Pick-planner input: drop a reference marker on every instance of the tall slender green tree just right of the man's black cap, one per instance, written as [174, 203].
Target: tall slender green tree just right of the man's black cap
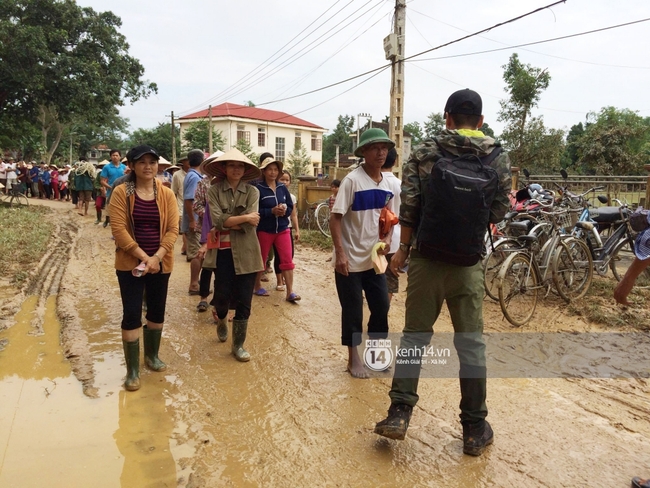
[529, 143]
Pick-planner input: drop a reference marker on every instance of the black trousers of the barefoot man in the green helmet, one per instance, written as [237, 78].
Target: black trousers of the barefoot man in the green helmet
[350, 290]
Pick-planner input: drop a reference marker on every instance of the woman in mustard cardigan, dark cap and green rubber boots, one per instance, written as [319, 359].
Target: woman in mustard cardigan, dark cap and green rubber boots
[144, 223]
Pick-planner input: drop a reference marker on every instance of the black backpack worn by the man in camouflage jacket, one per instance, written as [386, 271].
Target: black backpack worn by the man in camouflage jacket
[456, 207]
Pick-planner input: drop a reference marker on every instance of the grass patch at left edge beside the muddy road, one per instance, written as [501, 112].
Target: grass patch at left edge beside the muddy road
[24, 233]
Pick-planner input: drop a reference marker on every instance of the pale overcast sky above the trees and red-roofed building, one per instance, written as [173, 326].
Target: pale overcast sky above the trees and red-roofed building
[202, 52]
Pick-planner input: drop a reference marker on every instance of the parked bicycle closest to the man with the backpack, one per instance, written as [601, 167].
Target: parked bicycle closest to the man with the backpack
[563, 263]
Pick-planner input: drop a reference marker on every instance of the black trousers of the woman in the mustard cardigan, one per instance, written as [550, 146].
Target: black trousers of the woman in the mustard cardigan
[132, 290]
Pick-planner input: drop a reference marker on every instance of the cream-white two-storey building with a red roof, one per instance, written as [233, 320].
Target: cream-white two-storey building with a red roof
[265, 130]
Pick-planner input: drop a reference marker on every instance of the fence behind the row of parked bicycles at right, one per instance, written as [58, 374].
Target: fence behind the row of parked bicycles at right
[635, 190]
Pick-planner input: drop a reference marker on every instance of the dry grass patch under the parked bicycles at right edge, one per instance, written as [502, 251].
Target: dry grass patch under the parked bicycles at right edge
[599, 306]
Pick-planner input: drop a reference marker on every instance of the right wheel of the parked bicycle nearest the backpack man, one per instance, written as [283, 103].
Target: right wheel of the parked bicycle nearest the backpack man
[572, 269]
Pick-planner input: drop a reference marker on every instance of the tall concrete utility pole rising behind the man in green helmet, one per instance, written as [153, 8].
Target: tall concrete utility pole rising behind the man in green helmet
[394, 49]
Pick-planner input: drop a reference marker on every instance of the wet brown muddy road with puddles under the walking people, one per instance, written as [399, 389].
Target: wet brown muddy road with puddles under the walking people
[290, 417]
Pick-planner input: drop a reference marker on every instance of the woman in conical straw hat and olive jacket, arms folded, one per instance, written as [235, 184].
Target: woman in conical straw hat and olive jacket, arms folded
[233, 246]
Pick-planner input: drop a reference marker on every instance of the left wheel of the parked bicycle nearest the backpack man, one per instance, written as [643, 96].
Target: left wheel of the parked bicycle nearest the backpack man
[518, 289]
